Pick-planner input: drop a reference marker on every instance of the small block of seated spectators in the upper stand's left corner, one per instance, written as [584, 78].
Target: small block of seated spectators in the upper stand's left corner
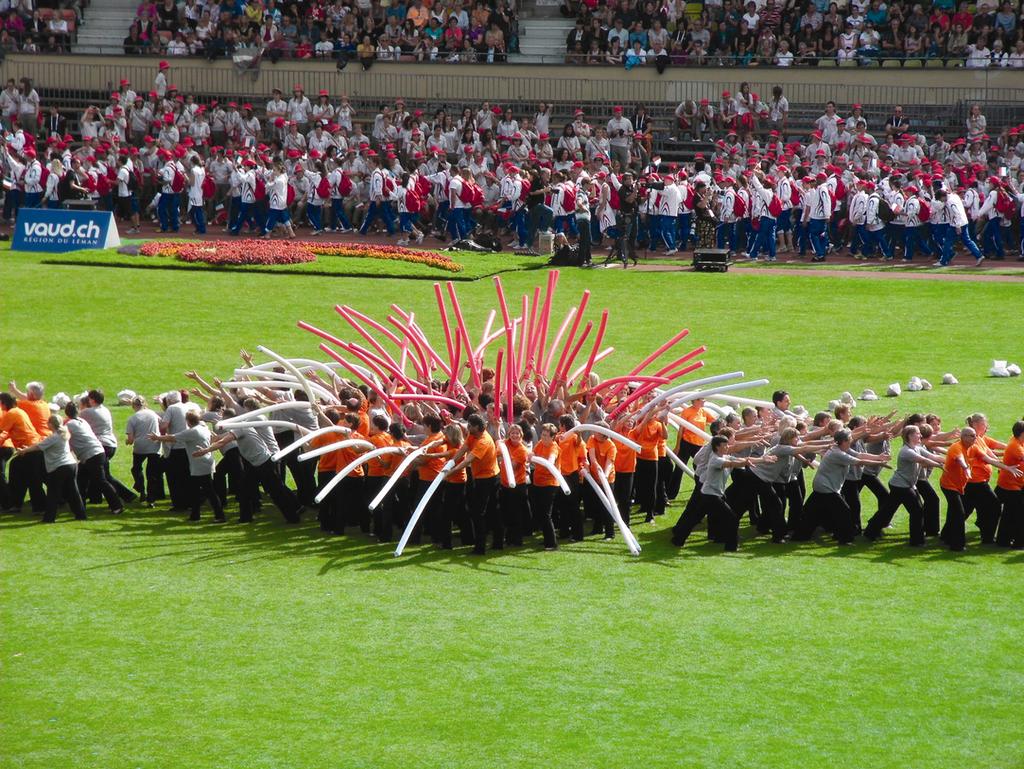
[39, 26]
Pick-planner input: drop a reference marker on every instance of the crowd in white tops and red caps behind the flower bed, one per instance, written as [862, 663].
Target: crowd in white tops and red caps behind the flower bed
[886, 190]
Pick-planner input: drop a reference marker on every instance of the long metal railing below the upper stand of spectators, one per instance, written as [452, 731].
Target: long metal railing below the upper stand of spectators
[79, 76]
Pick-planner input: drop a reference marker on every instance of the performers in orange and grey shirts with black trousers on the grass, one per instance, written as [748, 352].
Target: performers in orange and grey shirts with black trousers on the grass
[749, 463]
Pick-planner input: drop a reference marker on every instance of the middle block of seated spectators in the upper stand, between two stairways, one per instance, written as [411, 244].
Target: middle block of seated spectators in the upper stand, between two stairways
[342, 30]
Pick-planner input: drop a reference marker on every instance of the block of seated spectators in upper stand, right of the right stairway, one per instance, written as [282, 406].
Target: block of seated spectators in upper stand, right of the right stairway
[788, 33]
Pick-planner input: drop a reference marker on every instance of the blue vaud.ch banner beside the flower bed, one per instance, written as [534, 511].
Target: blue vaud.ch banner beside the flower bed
[57, 231]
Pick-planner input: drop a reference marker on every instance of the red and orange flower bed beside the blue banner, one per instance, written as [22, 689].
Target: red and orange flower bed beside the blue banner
[288, 252]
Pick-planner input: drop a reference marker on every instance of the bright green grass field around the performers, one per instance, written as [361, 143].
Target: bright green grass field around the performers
[145, 642]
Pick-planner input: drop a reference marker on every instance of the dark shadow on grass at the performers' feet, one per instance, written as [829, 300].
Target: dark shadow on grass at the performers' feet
[143, 535]
